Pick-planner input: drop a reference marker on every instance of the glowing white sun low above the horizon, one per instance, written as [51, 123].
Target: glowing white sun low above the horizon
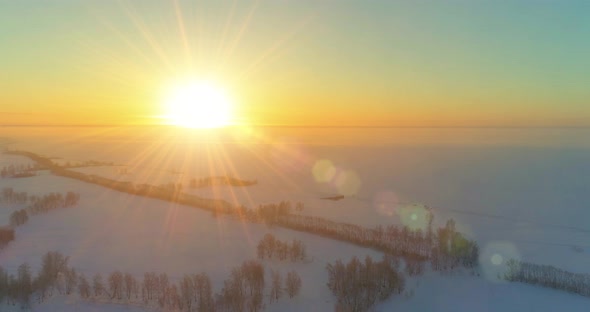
[198, 104]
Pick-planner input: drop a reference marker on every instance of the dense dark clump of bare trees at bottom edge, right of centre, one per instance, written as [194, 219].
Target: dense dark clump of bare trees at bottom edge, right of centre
[358, 285]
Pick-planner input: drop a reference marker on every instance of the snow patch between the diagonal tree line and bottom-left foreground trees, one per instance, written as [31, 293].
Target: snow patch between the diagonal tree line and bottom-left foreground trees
[117, 231]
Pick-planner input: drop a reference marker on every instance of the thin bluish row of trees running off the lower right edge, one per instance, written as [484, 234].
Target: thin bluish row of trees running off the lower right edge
[547, 276]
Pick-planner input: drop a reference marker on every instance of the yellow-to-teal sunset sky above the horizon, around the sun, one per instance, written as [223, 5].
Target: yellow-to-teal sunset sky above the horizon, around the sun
[416, 63]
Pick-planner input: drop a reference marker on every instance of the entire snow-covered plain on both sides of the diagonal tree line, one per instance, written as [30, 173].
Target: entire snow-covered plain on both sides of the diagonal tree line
[525, 201]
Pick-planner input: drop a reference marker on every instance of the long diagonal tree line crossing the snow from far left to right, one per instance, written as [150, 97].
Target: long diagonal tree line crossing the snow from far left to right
[445, 248]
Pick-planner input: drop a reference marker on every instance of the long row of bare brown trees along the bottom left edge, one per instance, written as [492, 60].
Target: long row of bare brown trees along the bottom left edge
[244, 290]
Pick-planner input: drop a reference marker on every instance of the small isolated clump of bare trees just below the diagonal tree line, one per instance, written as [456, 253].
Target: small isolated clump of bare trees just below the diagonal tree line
[270, 247]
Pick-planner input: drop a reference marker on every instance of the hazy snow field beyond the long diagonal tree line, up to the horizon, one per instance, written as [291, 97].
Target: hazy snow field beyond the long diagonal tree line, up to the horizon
[532, 199]
